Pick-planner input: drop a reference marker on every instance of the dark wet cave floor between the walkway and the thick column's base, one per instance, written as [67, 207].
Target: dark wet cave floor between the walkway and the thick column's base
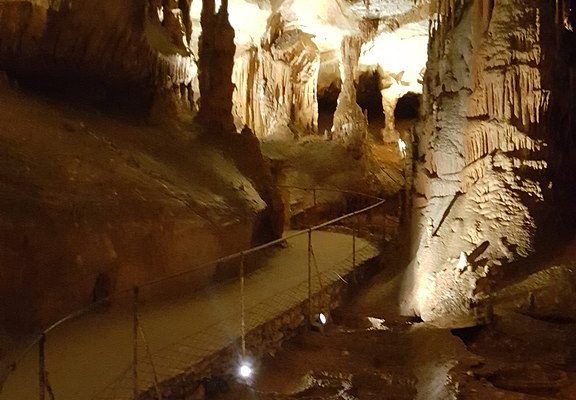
[370, 352]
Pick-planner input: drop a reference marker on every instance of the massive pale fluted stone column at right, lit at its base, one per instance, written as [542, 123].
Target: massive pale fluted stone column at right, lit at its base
[483, 173]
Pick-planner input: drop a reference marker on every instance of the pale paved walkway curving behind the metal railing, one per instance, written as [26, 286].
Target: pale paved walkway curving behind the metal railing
[90, 358]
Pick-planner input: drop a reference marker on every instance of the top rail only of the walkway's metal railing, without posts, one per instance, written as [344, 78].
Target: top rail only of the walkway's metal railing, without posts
[230, 257]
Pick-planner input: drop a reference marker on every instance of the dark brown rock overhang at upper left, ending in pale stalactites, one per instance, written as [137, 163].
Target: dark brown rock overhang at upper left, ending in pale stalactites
[140, 52]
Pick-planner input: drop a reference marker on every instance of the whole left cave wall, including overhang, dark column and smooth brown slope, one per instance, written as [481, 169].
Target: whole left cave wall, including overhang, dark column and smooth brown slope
[92, 205]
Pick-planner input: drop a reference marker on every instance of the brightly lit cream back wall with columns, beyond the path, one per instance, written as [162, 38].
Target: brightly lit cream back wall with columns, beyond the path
[282, 64]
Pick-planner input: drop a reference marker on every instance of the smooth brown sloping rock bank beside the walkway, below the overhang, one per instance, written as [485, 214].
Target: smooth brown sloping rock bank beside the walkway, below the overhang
[87, 198]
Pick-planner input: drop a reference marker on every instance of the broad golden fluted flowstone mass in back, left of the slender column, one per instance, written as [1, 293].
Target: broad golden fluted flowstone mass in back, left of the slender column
[276, 95]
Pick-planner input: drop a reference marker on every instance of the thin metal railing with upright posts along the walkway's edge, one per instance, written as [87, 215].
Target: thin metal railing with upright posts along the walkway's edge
[138, 337]
